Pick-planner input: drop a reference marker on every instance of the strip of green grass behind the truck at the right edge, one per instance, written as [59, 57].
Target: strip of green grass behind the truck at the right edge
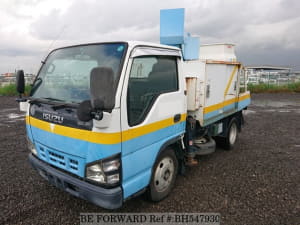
[272, 88]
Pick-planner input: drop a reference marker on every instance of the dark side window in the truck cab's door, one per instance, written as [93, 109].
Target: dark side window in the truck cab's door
[149, 78]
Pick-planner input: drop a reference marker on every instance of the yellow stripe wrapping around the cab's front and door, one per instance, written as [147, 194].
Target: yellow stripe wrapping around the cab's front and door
[101, 138]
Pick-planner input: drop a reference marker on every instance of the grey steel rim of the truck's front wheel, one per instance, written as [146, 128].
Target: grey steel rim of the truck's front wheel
[164, 174]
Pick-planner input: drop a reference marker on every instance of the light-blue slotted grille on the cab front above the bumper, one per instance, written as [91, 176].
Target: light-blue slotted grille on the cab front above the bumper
[62, 160]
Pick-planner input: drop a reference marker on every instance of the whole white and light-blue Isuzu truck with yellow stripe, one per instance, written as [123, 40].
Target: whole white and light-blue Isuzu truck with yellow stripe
[108, 121]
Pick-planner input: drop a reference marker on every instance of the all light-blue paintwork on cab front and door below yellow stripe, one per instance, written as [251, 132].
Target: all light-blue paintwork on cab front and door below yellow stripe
[138, 156]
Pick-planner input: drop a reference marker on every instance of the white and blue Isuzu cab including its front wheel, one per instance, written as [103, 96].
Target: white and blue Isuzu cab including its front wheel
[100, 115]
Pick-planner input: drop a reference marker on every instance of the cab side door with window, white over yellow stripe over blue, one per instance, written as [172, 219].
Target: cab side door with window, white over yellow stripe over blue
[152, 113]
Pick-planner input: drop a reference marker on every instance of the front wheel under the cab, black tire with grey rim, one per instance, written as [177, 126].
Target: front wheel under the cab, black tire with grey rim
[163, 175]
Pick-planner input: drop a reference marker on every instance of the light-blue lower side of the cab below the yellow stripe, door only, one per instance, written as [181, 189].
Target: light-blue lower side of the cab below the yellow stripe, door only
[139, 156]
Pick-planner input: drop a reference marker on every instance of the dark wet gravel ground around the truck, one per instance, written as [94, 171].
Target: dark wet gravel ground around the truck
[256, 183]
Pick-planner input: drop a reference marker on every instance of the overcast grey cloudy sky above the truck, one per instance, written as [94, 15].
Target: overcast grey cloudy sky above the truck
[265, 32]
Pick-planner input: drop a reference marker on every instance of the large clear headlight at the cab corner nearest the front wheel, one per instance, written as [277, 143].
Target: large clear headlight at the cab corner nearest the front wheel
[106, 171]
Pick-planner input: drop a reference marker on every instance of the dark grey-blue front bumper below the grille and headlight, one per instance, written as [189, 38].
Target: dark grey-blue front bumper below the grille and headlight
[106, 198]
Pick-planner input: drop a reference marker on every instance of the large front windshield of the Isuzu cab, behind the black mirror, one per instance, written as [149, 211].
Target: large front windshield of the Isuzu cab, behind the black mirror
[65, 76]
